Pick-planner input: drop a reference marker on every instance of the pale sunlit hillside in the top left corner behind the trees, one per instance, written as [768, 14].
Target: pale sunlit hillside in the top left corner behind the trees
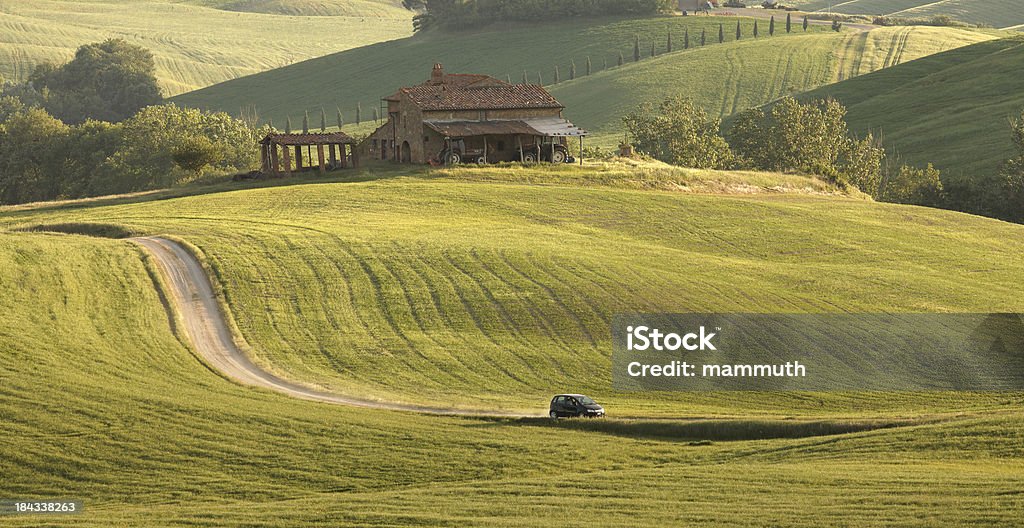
[195, 46]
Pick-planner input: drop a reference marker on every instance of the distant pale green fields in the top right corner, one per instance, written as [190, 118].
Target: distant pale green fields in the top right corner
[998, 14]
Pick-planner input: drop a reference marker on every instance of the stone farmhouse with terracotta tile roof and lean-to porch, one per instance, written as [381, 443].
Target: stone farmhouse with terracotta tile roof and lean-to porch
[457, 118]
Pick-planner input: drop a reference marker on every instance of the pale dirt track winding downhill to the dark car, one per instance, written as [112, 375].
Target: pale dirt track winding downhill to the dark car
[203, 324]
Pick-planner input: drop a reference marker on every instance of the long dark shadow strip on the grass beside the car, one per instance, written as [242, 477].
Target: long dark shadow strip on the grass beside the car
[707, 431]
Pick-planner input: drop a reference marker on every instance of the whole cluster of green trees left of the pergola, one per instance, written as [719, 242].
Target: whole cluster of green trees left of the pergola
[96, 126]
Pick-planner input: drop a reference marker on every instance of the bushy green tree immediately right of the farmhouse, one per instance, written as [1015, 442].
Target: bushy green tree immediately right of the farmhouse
[678, 133]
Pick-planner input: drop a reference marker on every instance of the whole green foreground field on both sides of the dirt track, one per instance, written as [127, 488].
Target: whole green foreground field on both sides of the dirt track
[486, 288]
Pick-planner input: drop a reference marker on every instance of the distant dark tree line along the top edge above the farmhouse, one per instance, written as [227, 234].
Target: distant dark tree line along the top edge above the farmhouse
[471, 14]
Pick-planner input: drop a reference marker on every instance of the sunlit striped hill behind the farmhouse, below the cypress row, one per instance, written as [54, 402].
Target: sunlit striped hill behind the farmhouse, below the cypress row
[724, 80]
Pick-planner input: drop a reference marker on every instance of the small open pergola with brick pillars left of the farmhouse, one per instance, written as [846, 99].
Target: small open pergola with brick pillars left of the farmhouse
[336, 148]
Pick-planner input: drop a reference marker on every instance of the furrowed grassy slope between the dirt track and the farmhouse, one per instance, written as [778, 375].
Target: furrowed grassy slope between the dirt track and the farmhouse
[471, 287]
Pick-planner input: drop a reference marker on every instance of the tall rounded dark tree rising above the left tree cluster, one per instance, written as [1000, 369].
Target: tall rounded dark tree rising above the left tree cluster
[107, 81]
